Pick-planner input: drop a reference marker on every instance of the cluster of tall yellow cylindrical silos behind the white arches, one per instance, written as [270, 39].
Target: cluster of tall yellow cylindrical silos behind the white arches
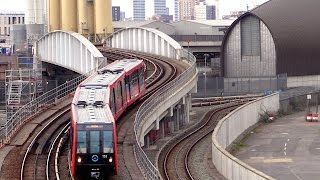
[93, 19]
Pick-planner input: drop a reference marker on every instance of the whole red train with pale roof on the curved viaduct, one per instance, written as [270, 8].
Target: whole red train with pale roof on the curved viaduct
[97, 104]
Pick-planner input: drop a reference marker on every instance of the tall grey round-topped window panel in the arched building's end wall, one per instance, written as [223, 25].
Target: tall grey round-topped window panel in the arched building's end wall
[250, 36]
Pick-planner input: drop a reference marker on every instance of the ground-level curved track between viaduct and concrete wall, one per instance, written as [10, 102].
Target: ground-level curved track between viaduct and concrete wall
[174, 159]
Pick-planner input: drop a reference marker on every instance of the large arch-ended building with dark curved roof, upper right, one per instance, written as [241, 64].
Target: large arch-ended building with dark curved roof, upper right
[267, 42]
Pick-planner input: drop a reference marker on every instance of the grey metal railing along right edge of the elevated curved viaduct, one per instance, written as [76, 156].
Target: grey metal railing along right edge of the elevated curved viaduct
[145, 165]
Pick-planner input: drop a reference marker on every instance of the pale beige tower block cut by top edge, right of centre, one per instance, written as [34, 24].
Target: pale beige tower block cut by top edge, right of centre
[186, 9]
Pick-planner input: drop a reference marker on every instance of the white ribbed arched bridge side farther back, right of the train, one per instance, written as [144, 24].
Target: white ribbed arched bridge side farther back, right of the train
[146, 40]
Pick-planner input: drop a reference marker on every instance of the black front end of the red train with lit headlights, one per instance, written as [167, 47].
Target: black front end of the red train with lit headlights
[95, 155]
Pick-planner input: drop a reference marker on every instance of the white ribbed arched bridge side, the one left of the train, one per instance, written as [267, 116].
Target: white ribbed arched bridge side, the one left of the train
[68, 49]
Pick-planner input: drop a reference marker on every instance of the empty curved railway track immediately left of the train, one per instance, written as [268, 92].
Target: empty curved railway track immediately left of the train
[38, 158]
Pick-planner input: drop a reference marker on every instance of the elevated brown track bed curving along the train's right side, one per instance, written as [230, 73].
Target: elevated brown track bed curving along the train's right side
[159, 72]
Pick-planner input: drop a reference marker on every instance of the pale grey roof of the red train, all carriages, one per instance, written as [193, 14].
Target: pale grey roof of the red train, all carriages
[93, 94]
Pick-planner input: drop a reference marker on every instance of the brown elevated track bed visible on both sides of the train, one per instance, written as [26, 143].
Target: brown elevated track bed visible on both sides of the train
[36, 162]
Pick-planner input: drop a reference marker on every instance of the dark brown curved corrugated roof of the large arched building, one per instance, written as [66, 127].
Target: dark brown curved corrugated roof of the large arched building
[294, 27]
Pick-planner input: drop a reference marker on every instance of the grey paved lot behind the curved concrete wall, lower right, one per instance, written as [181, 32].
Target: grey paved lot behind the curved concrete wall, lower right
[286, 149]
